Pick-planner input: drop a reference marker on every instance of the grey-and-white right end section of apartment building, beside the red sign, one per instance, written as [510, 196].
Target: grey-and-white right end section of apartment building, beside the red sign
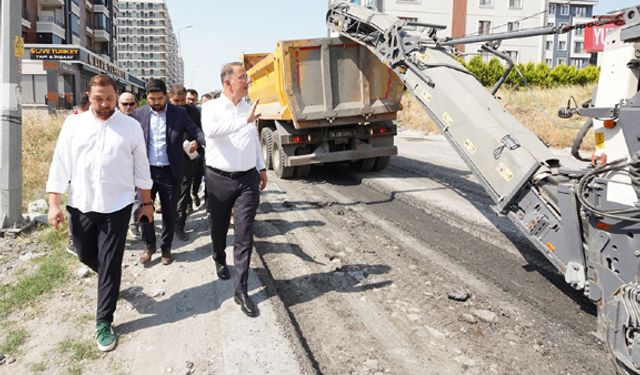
[568, 48]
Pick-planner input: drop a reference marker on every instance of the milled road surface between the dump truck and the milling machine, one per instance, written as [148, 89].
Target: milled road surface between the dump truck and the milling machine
[364, 264]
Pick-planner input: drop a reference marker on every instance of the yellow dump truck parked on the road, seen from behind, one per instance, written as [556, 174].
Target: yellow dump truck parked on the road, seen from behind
[323, 100]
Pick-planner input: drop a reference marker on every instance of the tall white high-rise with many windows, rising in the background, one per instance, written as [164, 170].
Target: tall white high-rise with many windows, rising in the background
[146, 43]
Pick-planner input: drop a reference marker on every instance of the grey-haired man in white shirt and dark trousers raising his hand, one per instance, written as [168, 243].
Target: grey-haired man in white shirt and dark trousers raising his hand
[235, 176]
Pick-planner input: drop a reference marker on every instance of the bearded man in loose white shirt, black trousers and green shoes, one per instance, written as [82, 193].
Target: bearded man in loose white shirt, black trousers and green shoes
[101, 158]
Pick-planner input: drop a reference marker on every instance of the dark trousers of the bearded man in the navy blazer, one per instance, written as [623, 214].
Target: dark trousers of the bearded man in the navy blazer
[166, 186]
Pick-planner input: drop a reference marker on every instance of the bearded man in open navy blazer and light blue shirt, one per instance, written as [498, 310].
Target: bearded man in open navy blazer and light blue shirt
[163, 125]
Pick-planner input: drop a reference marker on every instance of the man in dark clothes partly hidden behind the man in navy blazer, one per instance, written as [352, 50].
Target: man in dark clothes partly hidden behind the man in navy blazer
[177, 96]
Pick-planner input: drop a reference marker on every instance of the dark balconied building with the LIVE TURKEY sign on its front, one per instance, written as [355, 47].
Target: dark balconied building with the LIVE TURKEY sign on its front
[66, 43]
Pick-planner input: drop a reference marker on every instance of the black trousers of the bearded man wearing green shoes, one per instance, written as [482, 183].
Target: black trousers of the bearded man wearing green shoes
[99, 240]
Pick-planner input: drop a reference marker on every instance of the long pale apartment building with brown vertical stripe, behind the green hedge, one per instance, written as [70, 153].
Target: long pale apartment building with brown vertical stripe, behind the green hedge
[473, 17]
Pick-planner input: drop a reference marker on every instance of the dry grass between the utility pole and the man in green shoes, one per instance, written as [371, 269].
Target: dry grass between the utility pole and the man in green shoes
[39, 135]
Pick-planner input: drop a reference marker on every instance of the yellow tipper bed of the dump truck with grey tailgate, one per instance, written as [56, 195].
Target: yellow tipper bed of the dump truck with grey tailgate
[322, 82]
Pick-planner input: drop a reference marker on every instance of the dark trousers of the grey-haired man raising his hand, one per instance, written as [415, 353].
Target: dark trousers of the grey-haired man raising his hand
[243, 195]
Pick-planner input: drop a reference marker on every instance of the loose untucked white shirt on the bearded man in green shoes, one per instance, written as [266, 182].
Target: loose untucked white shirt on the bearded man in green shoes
[100, 161]
